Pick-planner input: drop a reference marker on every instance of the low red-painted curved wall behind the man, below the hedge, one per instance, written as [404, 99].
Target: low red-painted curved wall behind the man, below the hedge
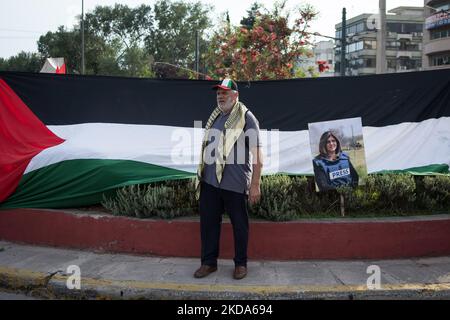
[307, 239]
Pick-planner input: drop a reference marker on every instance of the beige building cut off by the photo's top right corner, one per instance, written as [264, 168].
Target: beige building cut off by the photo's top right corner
[436, 35]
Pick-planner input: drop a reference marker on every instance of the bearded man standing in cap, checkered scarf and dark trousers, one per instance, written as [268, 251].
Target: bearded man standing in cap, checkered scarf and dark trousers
[229, 174]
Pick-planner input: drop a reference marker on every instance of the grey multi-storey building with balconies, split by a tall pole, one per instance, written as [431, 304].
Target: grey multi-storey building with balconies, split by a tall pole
[403, 42]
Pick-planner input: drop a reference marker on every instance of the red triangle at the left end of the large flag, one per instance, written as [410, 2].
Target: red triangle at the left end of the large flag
[22, 136]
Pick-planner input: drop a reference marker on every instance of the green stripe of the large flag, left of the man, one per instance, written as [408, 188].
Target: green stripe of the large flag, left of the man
[77, 183]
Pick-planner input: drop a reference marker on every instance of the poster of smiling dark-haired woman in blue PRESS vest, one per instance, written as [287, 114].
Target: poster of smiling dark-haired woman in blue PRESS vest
[338, 154]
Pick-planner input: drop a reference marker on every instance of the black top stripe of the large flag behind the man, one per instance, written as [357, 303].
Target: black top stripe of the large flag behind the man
[287, 105]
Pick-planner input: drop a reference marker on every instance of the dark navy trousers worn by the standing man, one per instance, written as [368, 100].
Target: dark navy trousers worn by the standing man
[213, 203]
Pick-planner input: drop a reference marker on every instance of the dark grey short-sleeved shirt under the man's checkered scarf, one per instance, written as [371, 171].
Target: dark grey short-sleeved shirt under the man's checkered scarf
[237, 173]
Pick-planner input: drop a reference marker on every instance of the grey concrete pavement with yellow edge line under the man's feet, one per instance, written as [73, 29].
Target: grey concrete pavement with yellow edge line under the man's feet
[43, 272]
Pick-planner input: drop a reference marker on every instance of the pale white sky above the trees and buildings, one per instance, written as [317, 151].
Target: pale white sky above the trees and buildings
[23, 21]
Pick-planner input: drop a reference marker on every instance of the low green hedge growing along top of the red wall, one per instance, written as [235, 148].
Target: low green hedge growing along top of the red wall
[287, 198]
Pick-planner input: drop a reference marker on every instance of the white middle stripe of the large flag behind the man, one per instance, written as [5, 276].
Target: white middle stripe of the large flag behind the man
[395, 147]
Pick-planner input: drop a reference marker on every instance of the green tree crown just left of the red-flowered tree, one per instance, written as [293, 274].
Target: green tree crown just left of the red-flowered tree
[173, 38]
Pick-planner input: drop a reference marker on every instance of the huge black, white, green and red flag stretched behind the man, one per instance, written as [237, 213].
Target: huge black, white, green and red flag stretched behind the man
[67, 140]
